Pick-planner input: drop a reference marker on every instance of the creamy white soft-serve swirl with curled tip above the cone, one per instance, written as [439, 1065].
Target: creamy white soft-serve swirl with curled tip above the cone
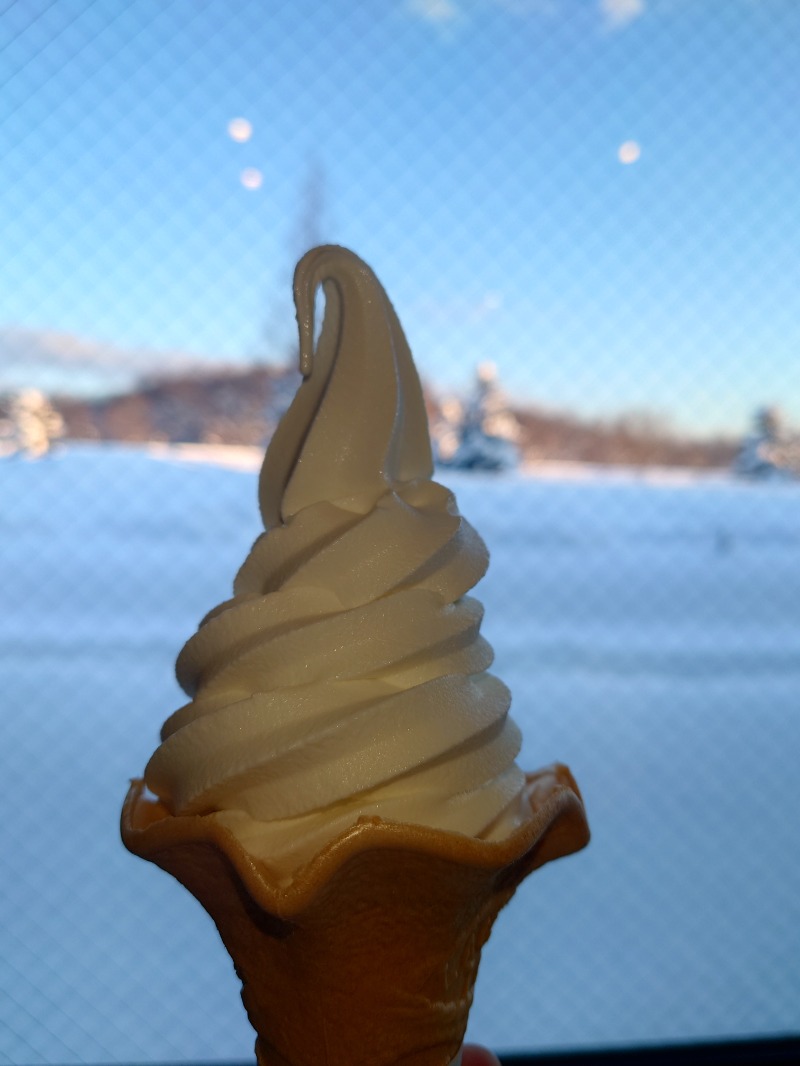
[347, 677]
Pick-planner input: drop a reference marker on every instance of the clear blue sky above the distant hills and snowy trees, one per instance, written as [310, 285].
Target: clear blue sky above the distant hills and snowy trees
[469, 150]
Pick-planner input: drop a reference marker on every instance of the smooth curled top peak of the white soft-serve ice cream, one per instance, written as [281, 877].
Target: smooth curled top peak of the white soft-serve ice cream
[358, 425]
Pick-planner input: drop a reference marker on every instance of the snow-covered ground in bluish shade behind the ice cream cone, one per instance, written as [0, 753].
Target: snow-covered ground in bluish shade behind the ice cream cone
[649, 632]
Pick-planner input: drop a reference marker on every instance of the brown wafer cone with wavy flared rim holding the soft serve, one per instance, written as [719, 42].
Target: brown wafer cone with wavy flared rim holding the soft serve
[370, 957]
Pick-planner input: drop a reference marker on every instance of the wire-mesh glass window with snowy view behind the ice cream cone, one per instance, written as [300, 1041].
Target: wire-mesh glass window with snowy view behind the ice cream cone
[586, 215]
